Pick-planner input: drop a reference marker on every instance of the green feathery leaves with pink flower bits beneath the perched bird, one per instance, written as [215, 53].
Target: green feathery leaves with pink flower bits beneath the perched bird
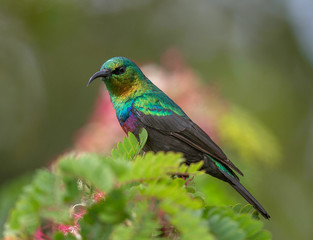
[125, 196]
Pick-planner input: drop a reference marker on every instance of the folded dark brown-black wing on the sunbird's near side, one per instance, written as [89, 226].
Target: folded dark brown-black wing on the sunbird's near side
[181, 127]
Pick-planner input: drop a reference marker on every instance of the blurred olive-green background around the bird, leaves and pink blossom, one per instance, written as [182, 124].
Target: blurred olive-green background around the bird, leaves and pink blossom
[258, 53]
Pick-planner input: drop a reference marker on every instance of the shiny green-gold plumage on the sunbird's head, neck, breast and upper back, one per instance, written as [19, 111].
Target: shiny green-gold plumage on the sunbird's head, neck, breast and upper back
[134, 89]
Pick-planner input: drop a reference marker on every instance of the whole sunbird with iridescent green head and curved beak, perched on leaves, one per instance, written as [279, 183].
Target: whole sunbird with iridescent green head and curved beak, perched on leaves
[140, 104]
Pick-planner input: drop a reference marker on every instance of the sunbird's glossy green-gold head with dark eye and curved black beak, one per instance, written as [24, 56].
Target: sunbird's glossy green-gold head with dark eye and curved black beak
[120, 75]
